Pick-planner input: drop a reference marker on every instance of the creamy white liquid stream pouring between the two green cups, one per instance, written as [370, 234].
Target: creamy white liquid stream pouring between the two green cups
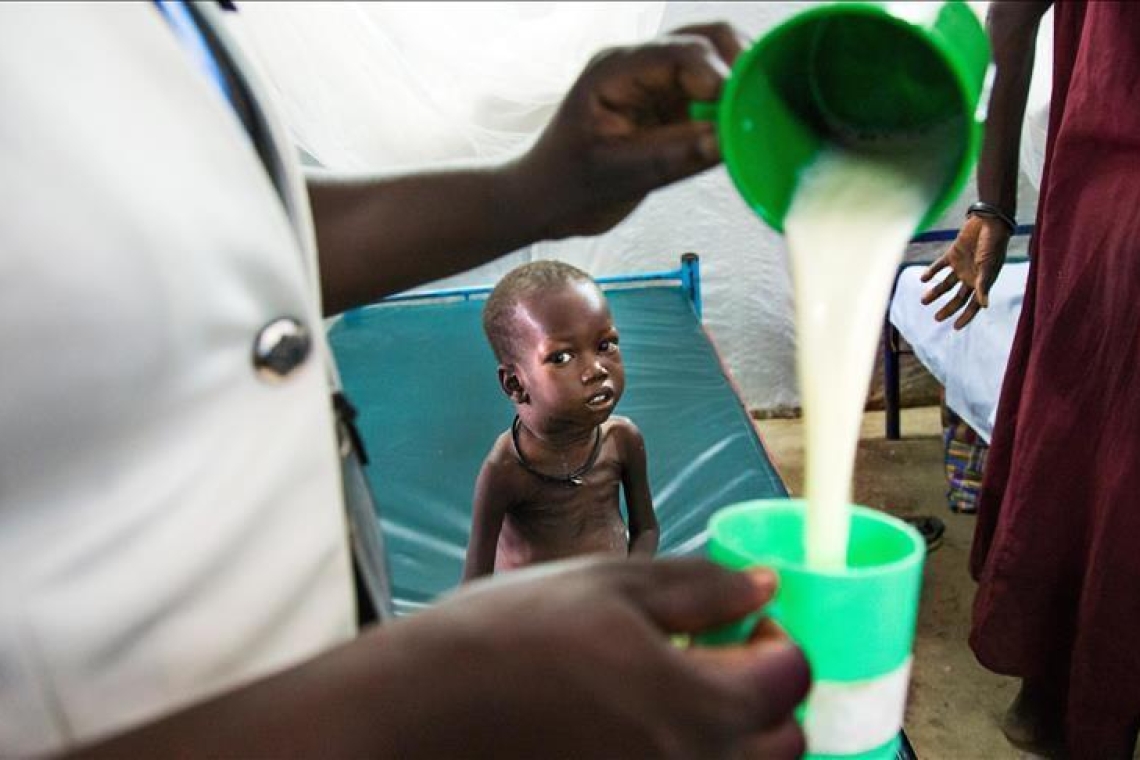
[848, 228]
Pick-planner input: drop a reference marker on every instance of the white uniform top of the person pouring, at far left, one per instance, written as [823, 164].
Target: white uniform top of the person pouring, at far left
[172, 525]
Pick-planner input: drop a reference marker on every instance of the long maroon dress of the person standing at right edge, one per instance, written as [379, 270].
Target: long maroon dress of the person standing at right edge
[1057, 546]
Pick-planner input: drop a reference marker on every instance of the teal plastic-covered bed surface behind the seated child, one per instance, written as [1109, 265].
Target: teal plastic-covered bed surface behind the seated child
[425, 383]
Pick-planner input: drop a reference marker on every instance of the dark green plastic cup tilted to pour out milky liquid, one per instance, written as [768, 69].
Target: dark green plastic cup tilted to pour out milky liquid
[856, 75]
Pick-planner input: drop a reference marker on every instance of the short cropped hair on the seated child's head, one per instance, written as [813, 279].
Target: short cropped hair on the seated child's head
[519, 284]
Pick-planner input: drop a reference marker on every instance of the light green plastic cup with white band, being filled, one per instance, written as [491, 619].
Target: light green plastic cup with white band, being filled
[856, 626]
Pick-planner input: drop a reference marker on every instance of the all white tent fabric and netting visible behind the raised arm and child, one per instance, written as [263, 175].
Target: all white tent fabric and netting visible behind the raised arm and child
[390, 86]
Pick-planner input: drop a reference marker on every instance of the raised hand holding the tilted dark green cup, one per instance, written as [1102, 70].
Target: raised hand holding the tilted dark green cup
[624, 129]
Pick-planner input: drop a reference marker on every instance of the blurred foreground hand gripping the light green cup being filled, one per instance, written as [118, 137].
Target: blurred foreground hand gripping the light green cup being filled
[575, 660]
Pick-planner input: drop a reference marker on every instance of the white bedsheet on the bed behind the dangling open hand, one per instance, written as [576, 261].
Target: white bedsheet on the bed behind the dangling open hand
[968, 363]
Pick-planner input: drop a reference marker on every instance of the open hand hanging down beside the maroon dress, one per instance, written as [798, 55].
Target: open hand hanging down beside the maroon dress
[974, 260]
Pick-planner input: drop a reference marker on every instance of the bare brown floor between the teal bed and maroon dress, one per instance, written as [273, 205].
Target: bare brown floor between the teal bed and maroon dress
[955, 704]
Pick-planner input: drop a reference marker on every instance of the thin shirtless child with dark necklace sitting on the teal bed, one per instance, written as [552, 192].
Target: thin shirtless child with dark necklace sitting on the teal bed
[550, 488]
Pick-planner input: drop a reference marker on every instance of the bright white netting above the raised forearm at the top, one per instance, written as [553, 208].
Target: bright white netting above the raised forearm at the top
[382, 86]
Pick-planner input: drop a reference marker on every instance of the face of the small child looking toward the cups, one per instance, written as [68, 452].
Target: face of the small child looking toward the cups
[569, 364]
